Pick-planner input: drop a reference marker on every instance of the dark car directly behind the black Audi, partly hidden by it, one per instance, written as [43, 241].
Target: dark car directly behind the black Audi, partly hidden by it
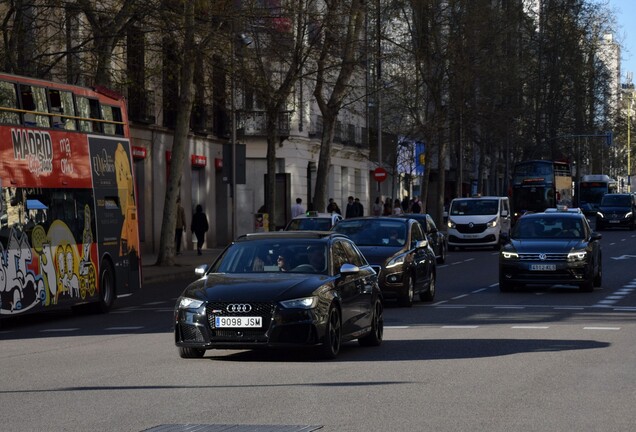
[398, 250]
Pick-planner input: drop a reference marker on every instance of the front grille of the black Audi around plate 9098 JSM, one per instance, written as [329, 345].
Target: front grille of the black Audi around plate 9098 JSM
[262, 309]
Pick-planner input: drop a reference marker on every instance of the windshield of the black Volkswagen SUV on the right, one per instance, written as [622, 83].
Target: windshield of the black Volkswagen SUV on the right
[548, 228]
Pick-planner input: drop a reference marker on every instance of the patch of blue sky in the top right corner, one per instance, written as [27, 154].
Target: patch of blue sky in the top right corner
[625, 11]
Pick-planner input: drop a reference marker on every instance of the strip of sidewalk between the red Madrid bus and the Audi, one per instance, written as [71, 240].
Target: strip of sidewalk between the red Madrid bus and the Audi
[185, 265]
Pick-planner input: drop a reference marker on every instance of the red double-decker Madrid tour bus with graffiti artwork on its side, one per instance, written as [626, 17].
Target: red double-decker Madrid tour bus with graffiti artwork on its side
[68, 213]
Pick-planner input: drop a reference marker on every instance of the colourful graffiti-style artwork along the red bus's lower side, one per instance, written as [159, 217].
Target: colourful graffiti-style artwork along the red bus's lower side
[47, 269]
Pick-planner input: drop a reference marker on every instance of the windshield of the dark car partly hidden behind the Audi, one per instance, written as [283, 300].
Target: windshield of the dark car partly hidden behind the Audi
[374, 232]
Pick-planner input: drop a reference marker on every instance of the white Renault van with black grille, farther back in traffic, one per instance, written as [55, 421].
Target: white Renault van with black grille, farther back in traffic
[478, 221]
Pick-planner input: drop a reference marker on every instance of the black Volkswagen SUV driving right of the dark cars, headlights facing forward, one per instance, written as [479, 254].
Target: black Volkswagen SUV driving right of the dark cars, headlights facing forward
[552, 248]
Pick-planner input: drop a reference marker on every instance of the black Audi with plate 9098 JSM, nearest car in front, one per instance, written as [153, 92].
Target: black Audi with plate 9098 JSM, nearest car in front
[282, 289]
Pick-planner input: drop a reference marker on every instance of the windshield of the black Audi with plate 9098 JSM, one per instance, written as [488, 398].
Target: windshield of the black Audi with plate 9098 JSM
[274, 255]
